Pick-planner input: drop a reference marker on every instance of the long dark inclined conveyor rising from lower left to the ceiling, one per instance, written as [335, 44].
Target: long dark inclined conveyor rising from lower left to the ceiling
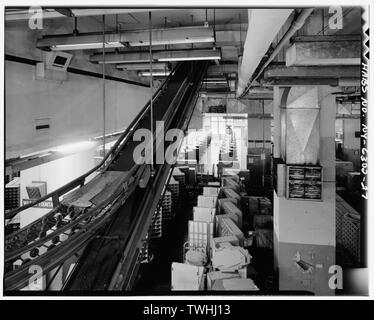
[108, 217]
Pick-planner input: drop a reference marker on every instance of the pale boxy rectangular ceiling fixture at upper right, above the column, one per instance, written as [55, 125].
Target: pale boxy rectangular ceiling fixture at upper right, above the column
[321, 53]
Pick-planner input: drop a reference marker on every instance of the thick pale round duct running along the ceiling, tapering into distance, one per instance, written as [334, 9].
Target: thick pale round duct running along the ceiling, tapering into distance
[263, 26]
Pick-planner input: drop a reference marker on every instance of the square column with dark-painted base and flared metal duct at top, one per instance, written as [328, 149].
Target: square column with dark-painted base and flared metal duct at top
[304, 230]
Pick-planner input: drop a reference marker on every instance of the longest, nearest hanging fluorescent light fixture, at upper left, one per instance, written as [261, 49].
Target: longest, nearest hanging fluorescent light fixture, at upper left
[169, 36]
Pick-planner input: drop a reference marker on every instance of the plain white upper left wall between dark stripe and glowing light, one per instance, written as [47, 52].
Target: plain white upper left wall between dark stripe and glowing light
[75, 108]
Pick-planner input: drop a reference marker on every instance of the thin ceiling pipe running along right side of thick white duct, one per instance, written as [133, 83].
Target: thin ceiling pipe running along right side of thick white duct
[296, 25]
